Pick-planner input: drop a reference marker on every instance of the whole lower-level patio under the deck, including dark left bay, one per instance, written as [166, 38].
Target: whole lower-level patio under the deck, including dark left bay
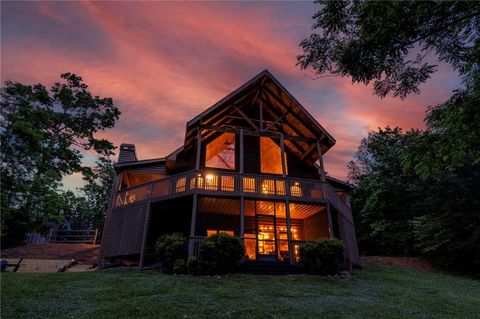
[266, 231]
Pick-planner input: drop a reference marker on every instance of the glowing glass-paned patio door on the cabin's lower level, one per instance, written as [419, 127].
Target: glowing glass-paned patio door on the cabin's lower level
[266, 238]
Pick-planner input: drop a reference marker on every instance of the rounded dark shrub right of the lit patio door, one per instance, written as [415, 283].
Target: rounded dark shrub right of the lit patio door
[321, 257]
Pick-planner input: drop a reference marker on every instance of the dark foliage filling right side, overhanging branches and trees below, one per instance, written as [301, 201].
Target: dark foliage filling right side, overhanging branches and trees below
[417, 191]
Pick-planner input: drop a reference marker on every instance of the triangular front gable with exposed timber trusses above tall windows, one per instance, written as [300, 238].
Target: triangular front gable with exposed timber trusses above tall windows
[280, 113]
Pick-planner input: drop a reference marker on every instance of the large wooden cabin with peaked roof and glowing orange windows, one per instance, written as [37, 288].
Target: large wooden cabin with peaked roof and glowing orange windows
[250, 166]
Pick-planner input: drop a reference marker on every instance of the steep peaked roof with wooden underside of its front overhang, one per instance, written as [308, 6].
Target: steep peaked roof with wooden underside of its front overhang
[278, 103]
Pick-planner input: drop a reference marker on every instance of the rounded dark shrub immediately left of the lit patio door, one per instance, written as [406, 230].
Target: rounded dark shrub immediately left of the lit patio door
[220, 254]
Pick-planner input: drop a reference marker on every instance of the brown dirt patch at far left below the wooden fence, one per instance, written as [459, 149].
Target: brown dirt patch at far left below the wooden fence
[82, 253]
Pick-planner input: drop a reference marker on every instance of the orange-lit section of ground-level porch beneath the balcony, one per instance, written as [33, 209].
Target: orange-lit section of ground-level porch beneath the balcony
[271, 230]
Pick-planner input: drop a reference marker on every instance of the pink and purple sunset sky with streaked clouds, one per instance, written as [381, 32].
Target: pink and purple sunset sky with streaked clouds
[164, 62]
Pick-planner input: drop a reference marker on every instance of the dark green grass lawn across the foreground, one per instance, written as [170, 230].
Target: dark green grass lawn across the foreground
[375, 292]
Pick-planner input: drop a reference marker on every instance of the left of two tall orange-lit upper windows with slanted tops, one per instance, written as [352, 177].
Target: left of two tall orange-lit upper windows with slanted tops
[221, 152]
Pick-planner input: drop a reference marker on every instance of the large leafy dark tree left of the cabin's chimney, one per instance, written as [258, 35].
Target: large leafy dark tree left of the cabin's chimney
[42, 134]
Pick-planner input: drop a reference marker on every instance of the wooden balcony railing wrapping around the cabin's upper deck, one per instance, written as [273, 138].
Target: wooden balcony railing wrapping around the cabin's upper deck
[223, 183]
